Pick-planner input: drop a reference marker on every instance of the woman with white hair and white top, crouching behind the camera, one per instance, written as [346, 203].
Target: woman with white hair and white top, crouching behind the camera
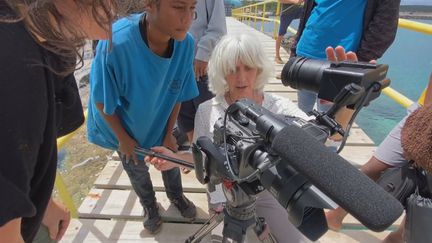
[238, 68]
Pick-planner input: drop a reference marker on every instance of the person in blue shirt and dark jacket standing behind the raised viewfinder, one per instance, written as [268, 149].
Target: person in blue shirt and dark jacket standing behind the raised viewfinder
[367, 27]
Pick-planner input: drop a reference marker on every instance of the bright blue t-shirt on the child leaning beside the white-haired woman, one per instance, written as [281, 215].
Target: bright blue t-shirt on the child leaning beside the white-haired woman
[137, 85]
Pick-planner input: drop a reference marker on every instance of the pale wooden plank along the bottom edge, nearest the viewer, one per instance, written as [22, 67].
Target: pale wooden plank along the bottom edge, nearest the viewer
[86, 230]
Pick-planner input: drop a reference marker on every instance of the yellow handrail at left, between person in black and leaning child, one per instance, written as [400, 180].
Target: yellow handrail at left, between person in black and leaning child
[59, 182]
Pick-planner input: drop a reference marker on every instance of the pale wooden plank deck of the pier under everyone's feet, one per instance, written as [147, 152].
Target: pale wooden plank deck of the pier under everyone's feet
[111, 211]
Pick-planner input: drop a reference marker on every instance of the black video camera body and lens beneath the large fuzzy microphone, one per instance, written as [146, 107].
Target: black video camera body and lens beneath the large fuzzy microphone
[241, 158]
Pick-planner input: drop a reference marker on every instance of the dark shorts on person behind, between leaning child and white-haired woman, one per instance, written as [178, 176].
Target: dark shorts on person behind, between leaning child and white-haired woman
[186, 118]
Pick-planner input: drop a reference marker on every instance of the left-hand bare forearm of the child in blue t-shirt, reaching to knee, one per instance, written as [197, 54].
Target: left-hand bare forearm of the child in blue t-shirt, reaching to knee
[126, 143]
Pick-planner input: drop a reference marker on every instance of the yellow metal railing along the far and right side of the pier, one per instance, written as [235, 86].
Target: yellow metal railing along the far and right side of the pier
[257, 11]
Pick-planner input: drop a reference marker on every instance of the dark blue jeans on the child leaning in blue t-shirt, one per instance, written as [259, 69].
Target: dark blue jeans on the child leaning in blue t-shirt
[142, 185]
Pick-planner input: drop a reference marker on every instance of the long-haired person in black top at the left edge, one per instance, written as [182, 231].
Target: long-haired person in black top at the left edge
[39, 43]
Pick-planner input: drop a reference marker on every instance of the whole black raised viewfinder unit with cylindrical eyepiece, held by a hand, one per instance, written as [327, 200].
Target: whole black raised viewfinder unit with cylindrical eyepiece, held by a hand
[328, 79]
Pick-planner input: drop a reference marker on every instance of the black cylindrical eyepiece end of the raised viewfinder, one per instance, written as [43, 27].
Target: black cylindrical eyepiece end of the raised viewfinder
[304, 73]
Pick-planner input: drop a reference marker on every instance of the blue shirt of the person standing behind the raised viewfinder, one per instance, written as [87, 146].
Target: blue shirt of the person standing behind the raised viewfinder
[332, 23]
